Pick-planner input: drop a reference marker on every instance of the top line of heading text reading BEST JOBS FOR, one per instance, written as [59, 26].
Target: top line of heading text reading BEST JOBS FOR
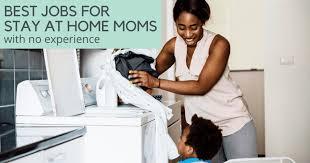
[25, 11]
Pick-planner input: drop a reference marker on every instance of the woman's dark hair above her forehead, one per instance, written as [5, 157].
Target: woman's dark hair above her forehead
[199, 8]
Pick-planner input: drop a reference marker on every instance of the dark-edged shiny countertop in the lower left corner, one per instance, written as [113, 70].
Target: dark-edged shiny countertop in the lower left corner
[20, 141]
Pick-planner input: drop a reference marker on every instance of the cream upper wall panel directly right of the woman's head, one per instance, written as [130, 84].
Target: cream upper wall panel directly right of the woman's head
[241, 22]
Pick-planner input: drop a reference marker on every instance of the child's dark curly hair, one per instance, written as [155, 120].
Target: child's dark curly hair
[205, 138]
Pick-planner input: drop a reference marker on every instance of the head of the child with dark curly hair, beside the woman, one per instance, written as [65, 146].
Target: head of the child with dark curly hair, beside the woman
[202, 139]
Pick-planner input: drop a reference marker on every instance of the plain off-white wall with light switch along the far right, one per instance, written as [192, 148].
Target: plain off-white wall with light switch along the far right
[287, 86]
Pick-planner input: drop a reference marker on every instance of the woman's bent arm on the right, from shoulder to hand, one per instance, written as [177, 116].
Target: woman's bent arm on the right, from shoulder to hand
[209, 76]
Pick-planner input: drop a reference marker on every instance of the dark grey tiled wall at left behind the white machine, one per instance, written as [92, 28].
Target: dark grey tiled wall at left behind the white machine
[16, 66]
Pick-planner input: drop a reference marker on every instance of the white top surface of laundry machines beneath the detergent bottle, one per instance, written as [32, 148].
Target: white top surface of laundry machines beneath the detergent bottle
[119, 116]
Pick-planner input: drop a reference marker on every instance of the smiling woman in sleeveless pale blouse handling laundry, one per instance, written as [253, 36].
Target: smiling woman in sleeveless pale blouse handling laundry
[201, 58]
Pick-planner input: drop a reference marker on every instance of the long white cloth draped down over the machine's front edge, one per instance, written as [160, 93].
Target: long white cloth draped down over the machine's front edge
[164, 146]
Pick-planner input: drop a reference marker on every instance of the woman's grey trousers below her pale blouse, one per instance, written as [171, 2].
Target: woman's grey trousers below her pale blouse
[241, 144]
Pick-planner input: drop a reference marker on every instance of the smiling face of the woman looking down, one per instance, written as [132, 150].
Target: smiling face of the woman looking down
[189, 27]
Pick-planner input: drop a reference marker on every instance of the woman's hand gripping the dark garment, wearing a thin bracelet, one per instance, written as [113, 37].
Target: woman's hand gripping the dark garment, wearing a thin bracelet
[142, 78]
